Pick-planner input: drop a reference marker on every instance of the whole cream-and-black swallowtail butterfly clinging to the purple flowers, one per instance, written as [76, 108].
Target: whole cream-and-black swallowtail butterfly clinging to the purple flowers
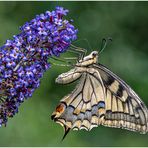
[100, 98]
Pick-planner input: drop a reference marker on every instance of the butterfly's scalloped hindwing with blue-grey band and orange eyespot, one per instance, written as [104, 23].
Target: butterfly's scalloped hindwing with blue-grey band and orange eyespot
[84, 106]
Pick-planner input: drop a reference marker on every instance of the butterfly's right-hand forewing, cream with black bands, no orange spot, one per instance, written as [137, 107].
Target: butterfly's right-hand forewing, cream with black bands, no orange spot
[124, 109]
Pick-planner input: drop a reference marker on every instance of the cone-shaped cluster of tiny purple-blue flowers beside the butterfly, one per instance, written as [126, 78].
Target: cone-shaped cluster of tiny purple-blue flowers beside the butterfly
[24, 59]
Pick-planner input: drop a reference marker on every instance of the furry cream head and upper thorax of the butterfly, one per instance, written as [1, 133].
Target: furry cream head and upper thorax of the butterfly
[92, 58]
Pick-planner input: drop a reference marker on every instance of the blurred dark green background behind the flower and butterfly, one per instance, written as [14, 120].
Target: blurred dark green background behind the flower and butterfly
[127, 56]
